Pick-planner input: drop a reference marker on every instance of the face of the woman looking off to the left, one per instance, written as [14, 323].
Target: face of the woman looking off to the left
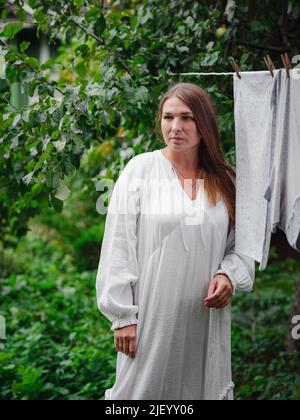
[178, 125]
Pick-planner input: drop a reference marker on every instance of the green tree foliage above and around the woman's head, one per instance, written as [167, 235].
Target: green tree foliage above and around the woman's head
[112, 66]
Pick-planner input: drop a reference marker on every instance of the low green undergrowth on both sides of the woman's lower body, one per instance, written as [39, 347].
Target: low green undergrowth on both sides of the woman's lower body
[59, 346]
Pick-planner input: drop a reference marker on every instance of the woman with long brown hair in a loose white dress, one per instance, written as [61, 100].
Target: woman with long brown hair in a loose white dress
[167, 268]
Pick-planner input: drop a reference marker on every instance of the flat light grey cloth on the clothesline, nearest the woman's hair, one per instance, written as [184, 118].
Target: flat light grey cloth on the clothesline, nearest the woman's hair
[254, 102]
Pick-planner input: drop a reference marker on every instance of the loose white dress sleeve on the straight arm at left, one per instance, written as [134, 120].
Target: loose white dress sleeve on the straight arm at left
[118, 266]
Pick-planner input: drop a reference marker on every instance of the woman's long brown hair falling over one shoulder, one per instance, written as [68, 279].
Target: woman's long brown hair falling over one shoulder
[218, 175]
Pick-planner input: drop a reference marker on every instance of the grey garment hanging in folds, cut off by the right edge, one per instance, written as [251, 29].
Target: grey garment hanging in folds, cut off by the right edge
[283, 192]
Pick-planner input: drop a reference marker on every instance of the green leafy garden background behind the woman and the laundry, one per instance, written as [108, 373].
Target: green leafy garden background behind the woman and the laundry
[80, 83]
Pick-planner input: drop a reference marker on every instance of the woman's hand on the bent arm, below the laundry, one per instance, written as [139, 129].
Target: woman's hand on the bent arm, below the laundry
[219, 292]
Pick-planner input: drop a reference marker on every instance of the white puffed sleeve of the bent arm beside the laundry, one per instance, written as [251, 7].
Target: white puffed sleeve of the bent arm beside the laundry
[239, 268]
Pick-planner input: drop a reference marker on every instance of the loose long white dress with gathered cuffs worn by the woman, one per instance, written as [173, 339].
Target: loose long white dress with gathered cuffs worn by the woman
[155, 267]
